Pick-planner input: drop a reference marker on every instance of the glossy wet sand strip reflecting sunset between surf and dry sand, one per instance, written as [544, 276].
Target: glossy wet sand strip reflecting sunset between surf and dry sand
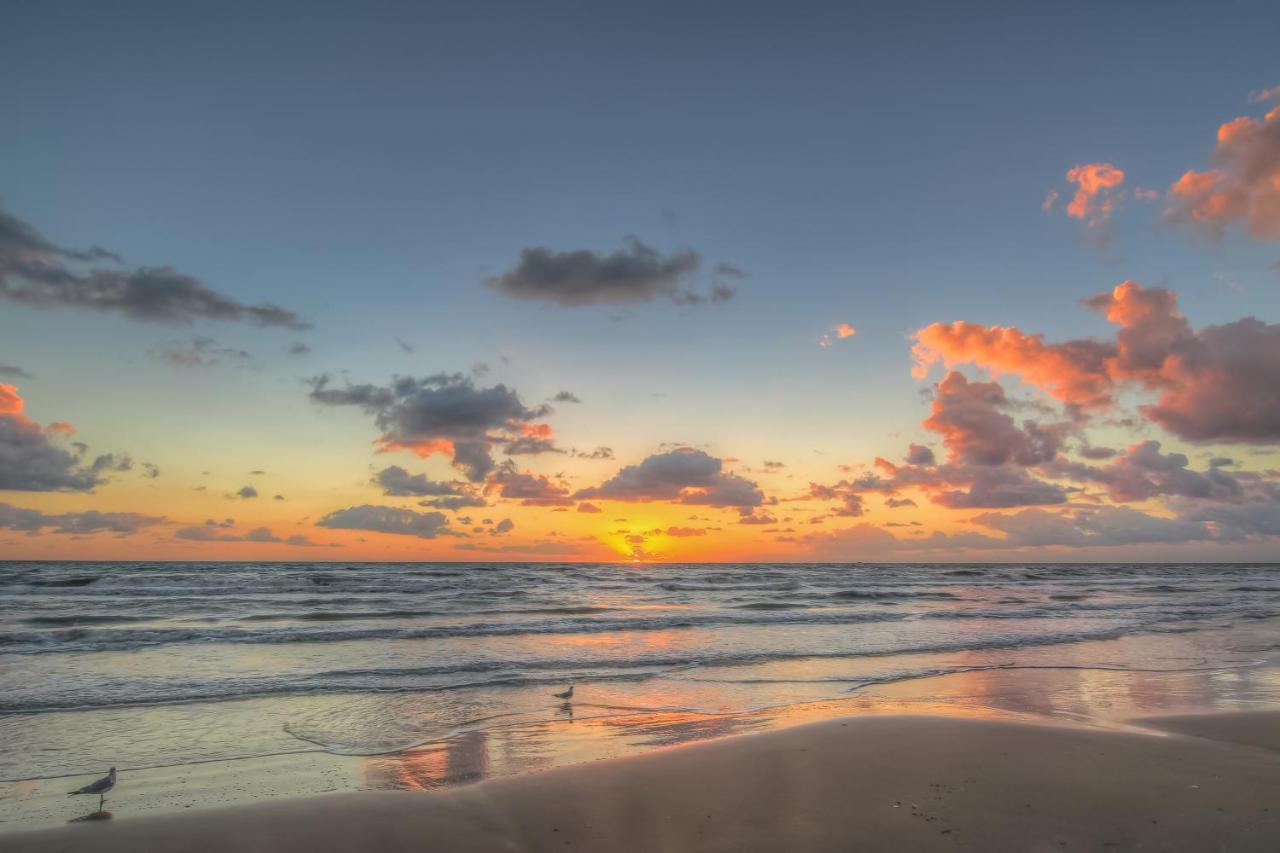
[531, 749]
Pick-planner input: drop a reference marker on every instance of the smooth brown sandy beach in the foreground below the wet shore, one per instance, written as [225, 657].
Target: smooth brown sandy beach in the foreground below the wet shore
[1210, 782]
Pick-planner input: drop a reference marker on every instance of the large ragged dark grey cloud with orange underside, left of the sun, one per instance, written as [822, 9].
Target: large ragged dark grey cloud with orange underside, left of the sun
[445, 414]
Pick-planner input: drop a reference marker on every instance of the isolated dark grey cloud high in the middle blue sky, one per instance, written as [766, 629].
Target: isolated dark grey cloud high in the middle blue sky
[636, 273]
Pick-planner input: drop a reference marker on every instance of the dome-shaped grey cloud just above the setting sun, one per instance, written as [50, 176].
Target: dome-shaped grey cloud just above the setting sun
[683, 476]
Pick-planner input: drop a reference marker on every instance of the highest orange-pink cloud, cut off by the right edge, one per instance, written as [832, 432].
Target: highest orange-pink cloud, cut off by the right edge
[1242, 188]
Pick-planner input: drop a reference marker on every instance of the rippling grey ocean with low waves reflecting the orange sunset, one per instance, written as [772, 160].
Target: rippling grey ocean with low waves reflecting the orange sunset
[163, 664]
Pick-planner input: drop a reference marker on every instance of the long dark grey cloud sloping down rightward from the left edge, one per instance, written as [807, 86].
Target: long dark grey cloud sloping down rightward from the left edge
[39, 273]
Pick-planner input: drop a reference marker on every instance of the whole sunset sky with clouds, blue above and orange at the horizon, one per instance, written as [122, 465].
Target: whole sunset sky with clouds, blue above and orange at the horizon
[675, 282]
